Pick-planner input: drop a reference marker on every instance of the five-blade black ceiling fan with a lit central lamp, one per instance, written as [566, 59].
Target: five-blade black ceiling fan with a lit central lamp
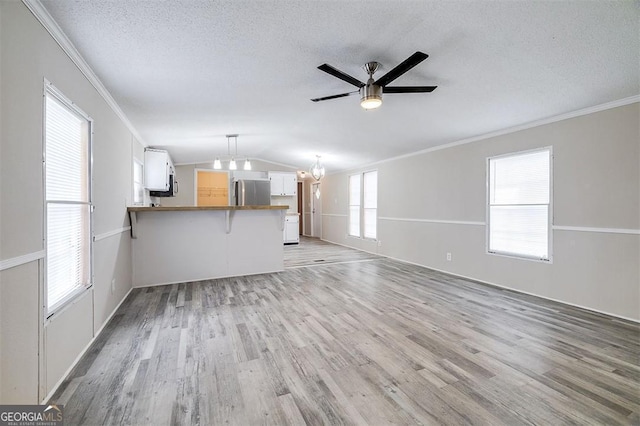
[371, 92]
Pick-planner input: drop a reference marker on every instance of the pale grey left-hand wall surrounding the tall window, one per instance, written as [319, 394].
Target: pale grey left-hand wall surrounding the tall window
[28, 55]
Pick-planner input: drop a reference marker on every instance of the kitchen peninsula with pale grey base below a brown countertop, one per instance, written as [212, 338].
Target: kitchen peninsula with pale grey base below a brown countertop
[187, 243]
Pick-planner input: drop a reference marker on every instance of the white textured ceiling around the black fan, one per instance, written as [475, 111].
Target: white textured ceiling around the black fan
[188, 72]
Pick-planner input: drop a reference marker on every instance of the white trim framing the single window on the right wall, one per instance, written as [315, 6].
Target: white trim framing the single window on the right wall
[550, 212]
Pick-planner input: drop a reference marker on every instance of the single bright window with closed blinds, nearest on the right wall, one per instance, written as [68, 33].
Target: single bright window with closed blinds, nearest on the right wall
[519, 207]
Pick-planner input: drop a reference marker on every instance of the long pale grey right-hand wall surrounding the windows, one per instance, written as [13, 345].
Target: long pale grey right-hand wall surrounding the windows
[596, 186]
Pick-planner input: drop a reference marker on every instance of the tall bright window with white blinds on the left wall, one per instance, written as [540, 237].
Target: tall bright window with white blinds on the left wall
[67, 200]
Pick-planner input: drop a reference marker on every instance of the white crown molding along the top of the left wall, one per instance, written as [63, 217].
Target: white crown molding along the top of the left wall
[49, 24]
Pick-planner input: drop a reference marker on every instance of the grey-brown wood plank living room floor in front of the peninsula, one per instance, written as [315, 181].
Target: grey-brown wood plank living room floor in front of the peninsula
[370, 342]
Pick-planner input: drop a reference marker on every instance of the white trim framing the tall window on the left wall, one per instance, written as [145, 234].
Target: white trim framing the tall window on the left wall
[48, 312]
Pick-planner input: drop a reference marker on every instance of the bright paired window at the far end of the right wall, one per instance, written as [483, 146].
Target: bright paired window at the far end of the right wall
[363, 205]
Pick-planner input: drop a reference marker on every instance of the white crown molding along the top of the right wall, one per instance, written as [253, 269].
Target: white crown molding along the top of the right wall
[573, 114]
